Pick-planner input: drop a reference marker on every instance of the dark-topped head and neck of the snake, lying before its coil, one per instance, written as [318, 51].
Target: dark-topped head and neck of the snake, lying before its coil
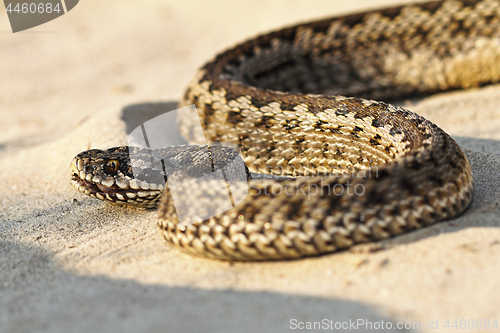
[137, 176]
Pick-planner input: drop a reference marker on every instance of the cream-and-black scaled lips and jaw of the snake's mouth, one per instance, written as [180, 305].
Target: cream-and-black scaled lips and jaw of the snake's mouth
[106, 188]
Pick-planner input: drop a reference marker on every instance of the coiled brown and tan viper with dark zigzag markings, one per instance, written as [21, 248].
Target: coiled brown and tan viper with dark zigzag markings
[337, 171]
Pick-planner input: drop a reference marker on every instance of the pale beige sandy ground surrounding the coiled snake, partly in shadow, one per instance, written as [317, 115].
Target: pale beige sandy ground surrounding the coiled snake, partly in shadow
[69, 263]
